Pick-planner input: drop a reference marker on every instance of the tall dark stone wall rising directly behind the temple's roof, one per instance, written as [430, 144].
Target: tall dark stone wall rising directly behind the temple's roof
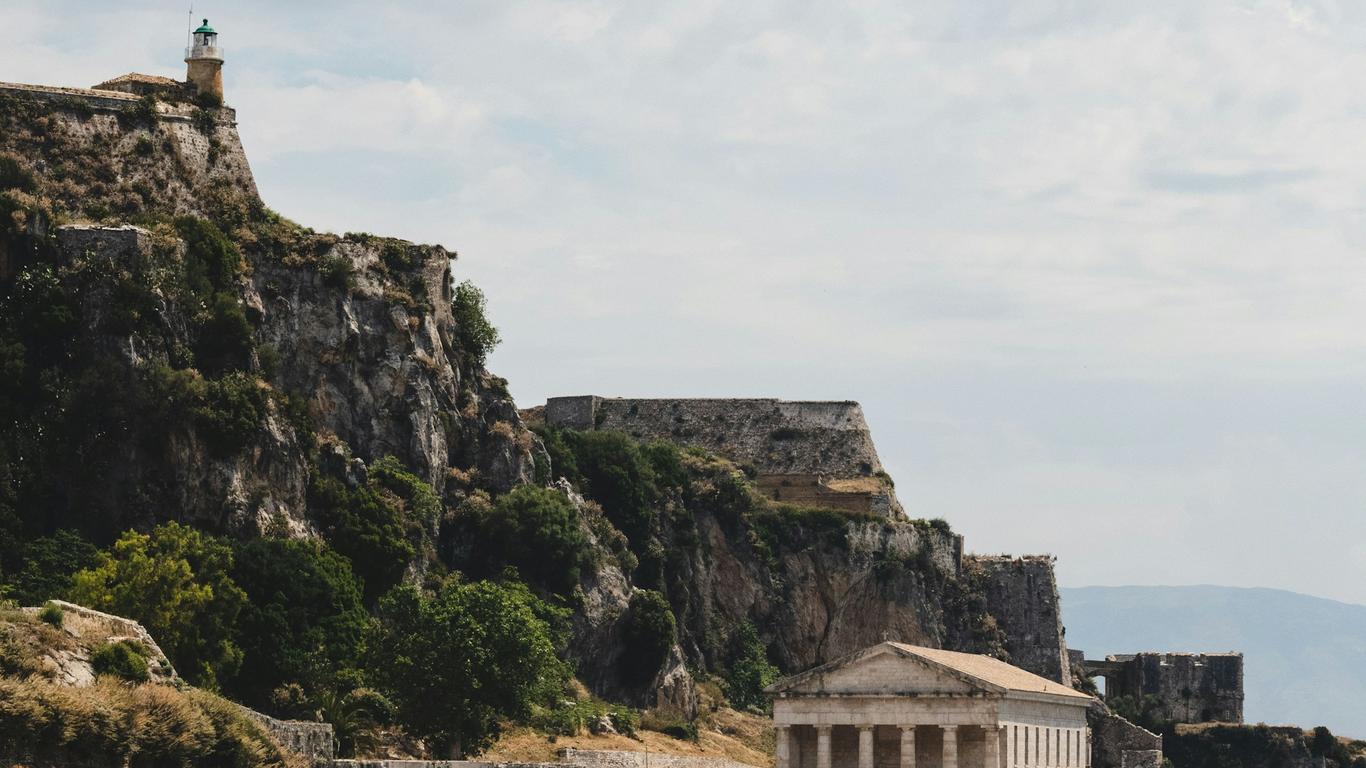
[1022, 598]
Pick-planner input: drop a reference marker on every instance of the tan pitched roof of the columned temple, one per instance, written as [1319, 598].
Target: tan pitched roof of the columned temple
[975, 669]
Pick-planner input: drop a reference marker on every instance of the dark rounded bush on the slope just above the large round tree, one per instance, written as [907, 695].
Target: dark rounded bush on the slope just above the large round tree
[536, 531]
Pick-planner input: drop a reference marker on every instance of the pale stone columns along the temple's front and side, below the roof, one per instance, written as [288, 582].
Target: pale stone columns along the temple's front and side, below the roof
[1013, 747]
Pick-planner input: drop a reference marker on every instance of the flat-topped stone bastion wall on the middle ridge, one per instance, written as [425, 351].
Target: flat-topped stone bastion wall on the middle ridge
[803, 453]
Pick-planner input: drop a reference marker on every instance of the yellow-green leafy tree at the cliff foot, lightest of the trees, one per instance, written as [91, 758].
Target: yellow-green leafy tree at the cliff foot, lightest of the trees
[177, 583]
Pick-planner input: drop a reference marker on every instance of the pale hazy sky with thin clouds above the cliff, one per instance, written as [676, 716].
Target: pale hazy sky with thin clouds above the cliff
[1095, 270]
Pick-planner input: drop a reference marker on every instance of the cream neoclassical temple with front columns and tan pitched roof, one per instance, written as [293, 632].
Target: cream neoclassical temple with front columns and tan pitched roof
[897, 706]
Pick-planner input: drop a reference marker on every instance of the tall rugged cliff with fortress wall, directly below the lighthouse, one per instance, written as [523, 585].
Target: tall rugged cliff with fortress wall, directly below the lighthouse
[189, 366]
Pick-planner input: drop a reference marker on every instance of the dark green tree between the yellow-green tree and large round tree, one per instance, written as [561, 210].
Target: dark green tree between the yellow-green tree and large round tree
[304, 621]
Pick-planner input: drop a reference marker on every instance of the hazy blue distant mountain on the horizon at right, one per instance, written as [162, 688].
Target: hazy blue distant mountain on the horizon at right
[1305, 658]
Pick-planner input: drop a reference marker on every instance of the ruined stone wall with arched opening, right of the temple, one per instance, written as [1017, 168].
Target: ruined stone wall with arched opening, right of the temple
[1190, 688]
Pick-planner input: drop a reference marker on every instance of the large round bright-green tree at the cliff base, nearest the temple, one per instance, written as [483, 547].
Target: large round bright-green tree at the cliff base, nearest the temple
[465, 659]
